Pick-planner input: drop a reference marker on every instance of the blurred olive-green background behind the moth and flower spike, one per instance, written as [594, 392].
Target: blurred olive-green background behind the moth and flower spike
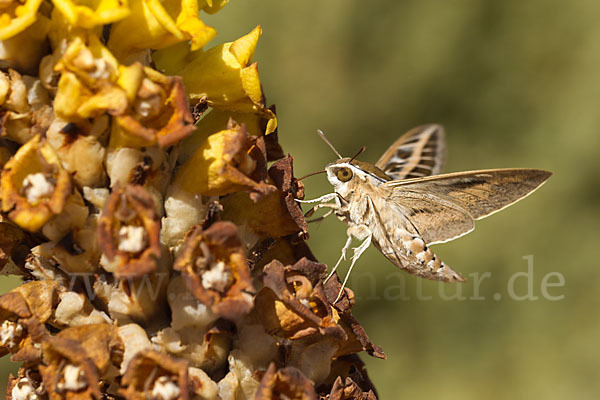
[516, 84]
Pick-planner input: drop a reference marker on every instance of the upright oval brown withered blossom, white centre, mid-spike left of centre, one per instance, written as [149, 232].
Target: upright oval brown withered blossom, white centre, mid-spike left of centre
[128, 232]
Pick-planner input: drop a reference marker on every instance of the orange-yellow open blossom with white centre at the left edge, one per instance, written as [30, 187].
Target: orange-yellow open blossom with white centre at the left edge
[34, 185]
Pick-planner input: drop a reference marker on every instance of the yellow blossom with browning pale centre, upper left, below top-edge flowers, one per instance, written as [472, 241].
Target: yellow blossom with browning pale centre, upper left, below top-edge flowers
[88, 84]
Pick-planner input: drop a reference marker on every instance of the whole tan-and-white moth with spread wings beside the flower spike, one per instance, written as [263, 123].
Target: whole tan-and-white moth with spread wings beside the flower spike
[402, 204]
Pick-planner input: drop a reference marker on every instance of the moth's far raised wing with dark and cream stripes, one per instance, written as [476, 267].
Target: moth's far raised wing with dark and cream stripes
[419, 152]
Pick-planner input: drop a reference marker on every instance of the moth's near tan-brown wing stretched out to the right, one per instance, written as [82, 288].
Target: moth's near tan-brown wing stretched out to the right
[443, 207]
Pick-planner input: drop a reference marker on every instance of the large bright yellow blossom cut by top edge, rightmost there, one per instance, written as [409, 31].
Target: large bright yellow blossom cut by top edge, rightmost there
[157, 24]
